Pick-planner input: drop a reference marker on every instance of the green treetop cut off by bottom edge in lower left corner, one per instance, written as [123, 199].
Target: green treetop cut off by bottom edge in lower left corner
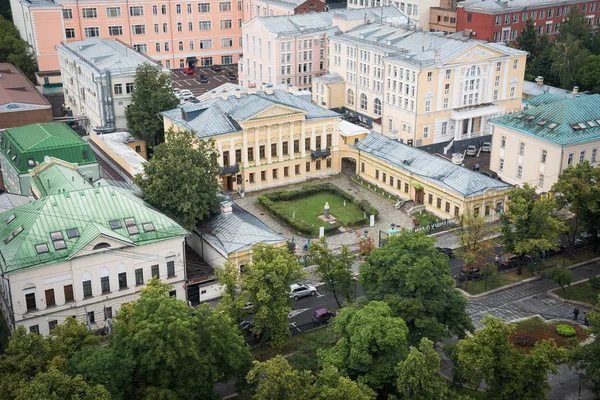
[56, 385]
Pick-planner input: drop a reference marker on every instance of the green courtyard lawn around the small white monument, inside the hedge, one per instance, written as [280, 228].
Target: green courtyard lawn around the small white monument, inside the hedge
[310, 207]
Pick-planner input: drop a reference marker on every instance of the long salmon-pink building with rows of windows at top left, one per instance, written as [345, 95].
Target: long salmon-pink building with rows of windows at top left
[174, 33]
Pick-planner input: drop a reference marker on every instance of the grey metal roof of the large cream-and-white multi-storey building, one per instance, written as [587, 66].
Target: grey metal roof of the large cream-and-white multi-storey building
[413, 46]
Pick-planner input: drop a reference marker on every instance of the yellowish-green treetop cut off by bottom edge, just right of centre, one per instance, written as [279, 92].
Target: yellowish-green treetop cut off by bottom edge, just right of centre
[333, 386]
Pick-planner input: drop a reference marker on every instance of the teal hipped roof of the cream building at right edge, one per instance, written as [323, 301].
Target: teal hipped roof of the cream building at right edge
[565, 122]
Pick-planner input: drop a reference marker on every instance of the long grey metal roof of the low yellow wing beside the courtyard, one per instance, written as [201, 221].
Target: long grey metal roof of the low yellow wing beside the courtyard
[429, 167]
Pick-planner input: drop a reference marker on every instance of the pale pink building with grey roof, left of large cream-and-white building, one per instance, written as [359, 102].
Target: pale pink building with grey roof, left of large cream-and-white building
[292, 49]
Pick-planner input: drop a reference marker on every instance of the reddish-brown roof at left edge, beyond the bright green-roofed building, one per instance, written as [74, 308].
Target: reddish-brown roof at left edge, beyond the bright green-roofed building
[16, 91]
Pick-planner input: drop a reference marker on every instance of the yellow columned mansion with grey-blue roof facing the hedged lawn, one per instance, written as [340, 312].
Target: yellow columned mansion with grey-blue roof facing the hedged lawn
[265, 138]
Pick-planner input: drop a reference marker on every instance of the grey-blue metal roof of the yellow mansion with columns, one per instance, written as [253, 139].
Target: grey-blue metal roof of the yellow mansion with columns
[218, 116]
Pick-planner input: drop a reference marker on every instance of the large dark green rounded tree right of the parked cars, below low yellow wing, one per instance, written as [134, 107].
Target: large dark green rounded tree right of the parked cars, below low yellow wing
[414, 280]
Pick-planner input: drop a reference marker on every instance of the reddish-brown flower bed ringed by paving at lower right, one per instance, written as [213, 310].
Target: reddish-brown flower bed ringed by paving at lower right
[540, 330]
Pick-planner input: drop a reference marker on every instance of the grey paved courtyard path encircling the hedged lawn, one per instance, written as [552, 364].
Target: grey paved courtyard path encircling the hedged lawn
[387, 213]
